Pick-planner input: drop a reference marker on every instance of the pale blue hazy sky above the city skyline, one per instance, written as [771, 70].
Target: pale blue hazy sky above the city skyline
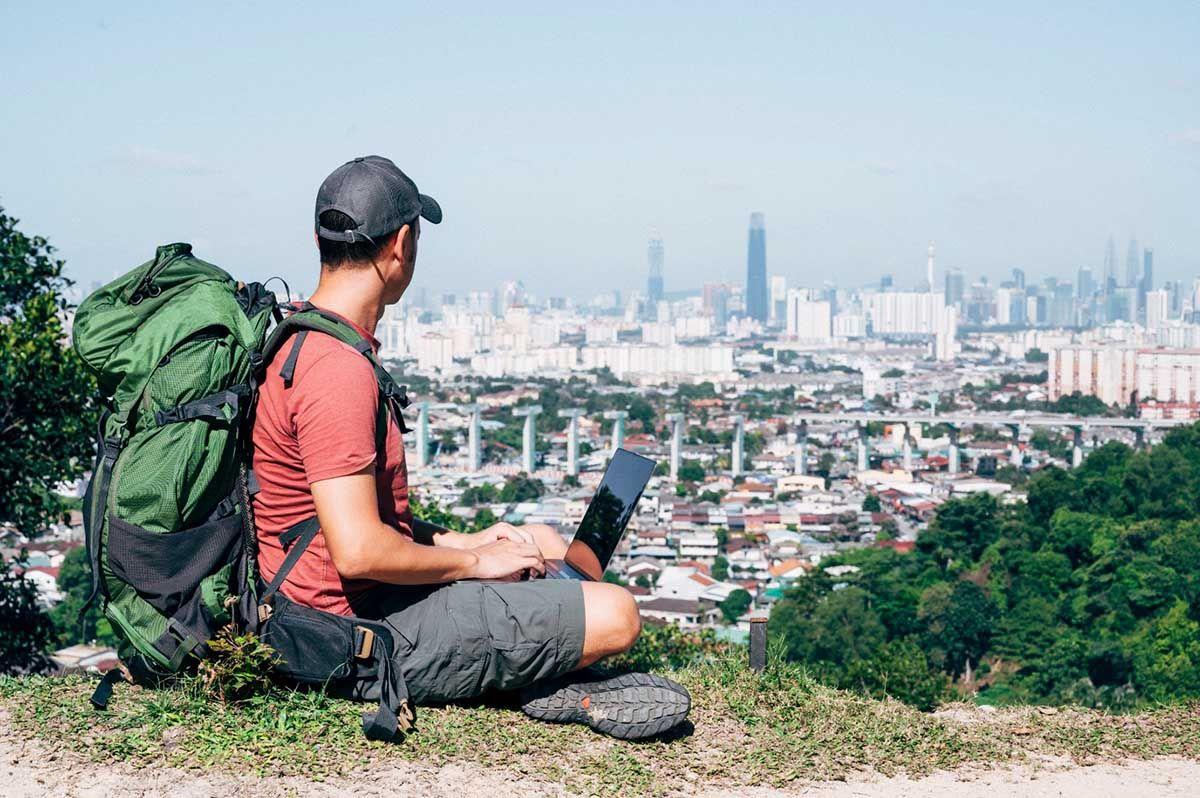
[557, 136]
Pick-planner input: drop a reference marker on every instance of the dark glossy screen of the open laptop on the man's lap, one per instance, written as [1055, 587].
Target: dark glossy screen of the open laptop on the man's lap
[604, 524]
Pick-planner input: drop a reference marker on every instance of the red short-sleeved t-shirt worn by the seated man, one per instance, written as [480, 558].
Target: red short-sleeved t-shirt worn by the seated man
[322, 427]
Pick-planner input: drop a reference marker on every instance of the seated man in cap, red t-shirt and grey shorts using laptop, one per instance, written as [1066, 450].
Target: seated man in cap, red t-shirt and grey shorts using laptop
[465, 623]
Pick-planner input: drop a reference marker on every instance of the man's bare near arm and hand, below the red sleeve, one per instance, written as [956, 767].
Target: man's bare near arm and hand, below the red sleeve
[363, 547]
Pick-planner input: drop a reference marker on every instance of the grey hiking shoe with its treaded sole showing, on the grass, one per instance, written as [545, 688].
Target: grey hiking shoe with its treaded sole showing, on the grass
[632, 706]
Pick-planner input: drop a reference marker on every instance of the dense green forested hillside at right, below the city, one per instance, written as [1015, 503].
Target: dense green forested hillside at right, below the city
[1088, 592]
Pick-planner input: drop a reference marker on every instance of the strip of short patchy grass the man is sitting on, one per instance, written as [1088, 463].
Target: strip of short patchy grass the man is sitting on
[773, 729]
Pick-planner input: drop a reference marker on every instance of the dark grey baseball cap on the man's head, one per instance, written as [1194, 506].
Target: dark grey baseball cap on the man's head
[375, 194]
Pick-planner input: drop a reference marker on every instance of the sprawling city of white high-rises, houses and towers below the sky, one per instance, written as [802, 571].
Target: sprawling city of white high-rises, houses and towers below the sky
[790, 423]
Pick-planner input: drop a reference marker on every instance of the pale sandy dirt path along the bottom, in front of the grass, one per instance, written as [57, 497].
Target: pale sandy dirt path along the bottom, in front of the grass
[28, 771]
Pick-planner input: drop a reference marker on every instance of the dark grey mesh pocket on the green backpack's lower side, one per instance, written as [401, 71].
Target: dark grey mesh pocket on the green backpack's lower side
[166, 569]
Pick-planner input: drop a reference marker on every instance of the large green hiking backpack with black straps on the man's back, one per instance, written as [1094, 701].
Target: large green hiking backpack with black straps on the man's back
[179, 349]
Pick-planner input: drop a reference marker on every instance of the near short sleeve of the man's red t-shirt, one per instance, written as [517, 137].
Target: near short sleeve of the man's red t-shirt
[334, 405]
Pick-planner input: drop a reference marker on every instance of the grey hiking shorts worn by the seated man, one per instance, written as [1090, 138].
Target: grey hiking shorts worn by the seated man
[463, 640]
